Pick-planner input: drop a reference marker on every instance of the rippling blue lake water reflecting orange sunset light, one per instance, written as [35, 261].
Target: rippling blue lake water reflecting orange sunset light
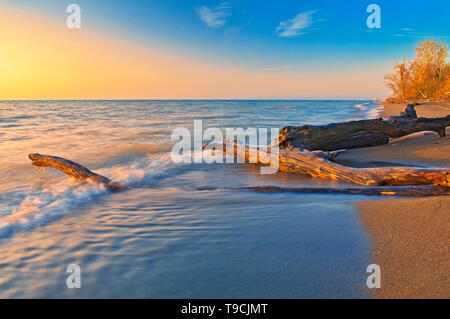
[178, 232]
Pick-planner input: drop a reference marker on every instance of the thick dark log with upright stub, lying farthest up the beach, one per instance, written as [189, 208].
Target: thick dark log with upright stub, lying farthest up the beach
[354, 134]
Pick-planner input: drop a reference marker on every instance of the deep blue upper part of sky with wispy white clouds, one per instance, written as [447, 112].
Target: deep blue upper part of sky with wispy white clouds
[282, 36]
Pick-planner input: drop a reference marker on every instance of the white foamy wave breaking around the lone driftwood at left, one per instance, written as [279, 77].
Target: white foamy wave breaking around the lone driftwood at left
[58, 199]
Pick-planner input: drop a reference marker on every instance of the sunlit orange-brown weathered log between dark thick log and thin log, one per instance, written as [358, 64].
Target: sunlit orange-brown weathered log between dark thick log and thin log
[317, 164]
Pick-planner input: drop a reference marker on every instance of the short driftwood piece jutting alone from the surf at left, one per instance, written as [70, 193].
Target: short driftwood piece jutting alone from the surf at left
[73, 169]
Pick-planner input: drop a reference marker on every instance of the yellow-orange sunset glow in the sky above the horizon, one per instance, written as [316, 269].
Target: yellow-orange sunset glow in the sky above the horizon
[42, 59]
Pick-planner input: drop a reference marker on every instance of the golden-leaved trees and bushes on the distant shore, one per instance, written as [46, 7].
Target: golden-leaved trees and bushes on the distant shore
[426, 78]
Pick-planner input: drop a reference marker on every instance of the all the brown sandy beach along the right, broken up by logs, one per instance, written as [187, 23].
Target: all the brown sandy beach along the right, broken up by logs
[410, 237]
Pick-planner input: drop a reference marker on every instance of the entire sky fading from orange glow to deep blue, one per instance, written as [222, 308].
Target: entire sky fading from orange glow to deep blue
[205, 49]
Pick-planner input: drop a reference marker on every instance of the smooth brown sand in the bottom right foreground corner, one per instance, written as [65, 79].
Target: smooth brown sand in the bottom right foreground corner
[410, 240]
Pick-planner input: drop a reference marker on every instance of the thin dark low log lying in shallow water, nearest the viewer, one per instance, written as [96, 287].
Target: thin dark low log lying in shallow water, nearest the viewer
[379, 191]
